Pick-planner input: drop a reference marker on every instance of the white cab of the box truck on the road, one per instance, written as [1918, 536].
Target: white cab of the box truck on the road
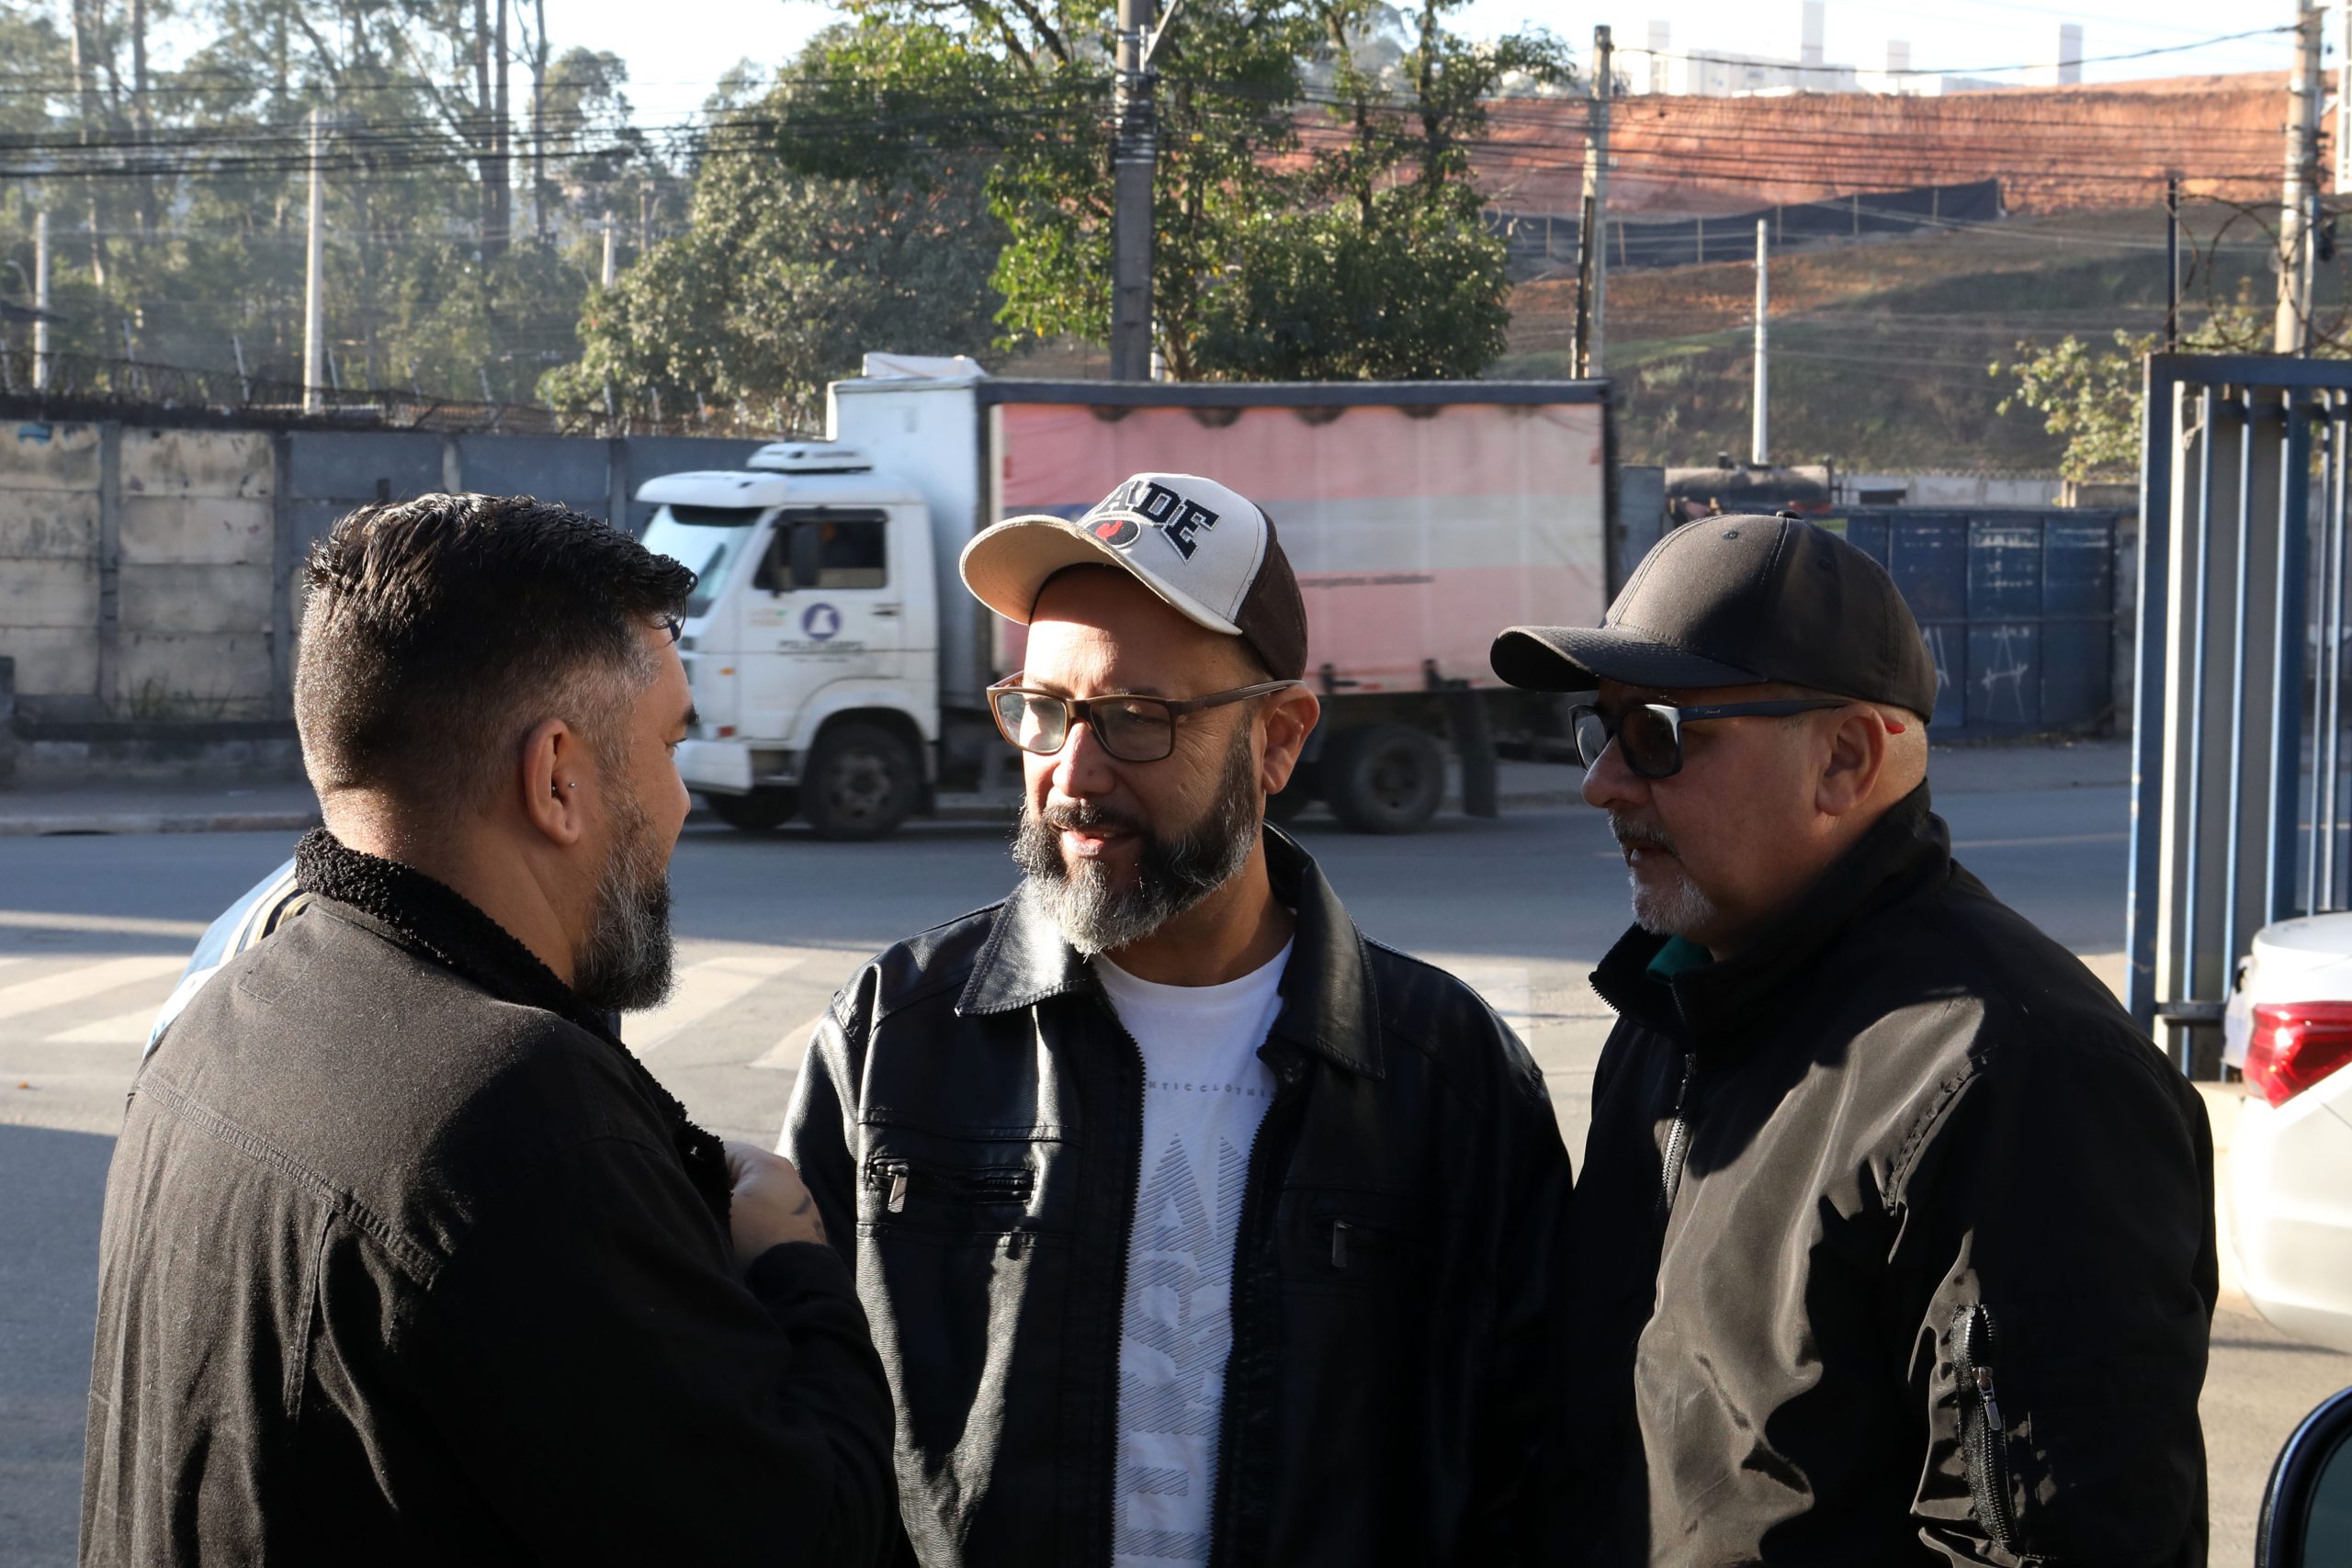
[813, 638]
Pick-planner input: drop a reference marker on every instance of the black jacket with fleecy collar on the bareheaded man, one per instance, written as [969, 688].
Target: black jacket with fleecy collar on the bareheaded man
[408, 1261]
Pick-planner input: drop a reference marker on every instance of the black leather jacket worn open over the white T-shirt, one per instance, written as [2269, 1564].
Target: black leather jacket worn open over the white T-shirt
[970, 1123]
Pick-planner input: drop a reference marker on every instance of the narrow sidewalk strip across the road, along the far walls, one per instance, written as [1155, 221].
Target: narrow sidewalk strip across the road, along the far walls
[290, 808]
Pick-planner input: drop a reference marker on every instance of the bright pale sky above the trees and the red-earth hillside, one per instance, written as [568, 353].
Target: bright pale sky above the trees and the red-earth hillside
[679, 48]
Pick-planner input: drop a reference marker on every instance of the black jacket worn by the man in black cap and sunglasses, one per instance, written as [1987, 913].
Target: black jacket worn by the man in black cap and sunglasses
[1895, 1245]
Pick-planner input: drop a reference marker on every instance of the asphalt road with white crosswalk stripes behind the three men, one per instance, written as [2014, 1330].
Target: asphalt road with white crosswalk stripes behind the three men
[93, 932]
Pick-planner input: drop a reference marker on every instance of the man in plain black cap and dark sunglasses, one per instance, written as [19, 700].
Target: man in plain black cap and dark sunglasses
[1895, 1240]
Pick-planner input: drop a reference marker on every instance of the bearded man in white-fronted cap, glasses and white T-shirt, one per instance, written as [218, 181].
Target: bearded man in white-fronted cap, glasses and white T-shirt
[1194, 1226]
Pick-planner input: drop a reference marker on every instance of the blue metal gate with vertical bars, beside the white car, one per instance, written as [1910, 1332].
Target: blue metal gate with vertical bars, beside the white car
[2238, 800]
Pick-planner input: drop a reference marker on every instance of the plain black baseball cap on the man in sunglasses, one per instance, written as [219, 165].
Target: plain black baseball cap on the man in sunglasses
[1739, 603]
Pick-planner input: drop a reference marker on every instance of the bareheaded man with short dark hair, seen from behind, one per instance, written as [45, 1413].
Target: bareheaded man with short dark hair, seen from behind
[406, 1257]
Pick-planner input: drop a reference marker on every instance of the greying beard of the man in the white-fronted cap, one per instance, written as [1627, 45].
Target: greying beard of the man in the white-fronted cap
[1172, 873]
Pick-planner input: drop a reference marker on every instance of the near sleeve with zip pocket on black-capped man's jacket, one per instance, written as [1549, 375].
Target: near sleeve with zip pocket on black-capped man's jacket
[2057, 1254]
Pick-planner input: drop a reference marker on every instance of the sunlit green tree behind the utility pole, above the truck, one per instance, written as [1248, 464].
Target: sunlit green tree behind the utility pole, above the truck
[1316, 213]
